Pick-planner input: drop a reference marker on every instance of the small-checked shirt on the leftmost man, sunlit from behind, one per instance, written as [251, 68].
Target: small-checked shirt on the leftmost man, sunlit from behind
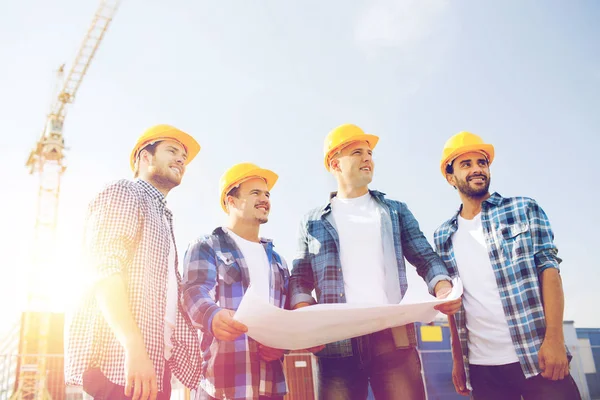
[126, 234]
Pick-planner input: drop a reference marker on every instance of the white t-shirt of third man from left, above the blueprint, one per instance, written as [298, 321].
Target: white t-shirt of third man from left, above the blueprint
[358, 224]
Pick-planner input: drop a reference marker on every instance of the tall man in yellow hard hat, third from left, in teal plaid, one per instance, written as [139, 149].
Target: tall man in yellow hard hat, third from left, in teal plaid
[353, 250]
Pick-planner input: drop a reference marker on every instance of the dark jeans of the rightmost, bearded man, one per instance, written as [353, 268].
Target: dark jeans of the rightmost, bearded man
[507, 382]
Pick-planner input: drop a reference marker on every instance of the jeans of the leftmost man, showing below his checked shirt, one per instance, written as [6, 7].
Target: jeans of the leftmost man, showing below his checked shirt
[97, 386]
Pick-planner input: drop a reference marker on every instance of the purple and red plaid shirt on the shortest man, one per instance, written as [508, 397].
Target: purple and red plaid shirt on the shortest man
[215, 278]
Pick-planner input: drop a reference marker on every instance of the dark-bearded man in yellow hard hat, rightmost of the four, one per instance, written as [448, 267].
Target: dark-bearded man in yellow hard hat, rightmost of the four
[507, 340]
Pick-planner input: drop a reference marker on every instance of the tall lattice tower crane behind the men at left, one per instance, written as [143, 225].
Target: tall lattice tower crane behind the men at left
[47, 160]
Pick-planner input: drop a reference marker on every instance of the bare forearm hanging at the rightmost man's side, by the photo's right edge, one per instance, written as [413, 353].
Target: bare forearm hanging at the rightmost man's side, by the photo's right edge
[554, 303]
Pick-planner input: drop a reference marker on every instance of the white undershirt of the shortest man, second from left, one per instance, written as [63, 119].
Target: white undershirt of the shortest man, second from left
[257, 262]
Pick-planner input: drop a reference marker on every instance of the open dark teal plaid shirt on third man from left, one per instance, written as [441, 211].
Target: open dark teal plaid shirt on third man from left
[318, 266]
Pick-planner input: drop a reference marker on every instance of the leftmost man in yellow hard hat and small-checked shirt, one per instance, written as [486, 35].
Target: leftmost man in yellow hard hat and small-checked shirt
[128, 333]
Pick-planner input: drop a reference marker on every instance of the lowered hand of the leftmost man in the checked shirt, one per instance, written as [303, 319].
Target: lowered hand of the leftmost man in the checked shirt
[140, 377]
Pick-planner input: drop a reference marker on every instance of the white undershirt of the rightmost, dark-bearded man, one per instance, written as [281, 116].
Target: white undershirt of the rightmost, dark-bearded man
[489, 338]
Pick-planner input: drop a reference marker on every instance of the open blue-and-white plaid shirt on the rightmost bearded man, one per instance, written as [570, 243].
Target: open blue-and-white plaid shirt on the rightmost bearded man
[520, 246]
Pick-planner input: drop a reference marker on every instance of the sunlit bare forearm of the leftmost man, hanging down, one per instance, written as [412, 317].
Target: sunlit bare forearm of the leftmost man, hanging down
[112, 299]
